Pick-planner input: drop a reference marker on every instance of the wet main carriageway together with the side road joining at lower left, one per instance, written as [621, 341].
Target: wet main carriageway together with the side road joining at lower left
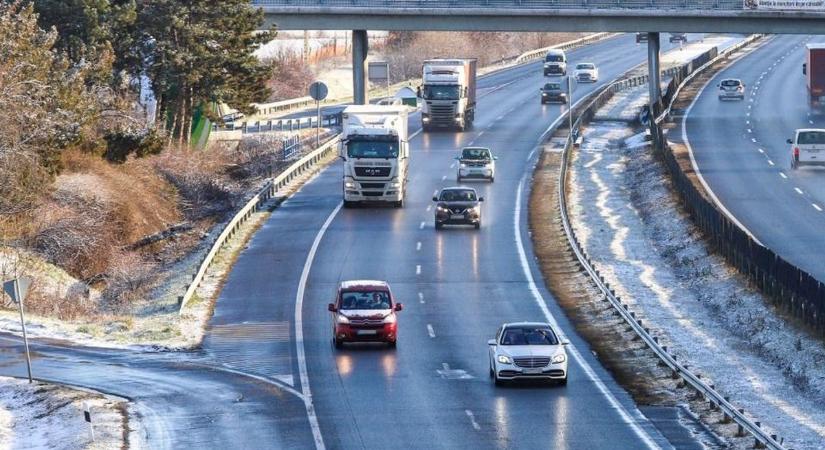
[267, 375]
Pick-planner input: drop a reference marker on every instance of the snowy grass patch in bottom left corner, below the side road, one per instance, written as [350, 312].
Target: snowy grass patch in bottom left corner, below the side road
[48, 416]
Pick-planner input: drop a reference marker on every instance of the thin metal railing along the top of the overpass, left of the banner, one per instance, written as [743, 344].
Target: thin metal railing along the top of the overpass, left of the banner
[728, 5]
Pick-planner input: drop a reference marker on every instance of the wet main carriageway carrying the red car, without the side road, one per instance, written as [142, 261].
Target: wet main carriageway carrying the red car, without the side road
[457, 285]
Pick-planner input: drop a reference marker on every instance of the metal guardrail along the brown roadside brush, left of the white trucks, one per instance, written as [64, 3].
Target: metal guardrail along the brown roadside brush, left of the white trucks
[309, 162]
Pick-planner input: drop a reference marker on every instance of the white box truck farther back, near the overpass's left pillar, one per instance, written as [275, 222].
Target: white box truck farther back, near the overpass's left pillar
[448, 92]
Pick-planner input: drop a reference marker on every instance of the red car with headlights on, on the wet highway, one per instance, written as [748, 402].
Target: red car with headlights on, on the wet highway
[364, 311]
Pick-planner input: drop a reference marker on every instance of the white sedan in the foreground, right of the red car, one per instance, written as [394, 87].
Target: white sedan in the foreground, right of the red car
[527, 351]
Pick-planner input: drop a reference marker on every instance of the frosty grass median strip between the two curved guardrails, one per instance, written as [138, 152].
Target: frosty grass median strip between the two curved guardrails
[631, 225]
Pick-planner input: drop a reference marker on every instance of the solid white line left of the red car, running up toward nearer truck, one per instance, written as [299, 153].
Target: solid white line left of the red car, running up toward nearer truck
[299, 331]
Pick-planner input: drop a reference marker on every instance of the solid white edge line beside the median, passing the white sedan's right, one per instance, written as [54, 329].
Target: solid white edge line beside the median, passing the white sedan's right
[631, 419]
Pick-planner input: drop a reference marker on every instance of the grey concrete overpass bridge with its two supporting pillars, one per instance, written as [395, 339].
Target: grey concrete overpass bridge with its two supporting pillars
[651, 16]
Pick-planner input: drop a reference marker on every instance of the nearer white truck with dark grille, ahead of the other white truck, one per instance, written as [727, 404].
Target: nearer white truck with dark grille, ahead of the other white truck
[375, 151]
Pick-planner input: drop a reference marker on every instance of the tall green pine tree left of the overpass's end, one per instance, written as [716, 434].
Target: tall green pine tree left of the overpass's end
[200, 53]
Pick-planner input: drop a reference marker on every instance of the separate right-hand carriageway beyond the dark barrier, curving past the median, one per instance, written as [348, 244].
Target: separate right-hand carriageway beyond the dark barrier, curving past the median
[741, 152]
